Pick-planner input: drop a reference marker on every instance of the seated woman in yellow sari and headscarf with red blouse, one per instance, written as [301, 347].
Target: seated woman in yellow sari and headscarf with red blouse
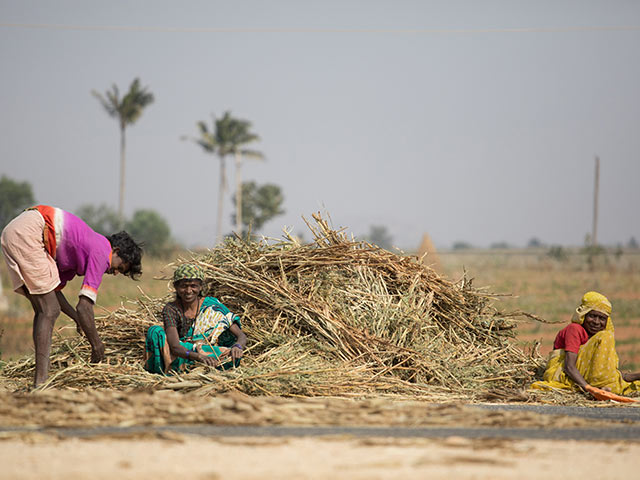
[584, 354]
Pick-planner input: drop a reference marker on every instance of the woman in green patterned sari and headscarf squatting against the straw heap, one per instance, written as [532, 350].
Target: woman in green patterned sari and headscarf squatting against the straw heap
[196, 329]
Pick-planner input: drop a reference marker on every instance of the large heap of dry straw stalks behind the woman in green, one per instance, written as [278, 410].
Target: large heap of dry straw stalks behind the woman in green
[333, 317]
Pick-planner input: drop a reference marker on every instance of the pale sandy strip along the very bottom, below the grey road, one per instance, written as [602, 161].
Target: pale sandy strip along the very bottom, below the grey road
[177, 456]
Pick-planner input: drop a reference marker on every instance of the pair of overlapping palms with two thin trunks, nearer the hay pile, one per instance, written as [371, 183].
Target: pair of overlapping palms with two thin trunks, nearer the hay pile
[226, 137]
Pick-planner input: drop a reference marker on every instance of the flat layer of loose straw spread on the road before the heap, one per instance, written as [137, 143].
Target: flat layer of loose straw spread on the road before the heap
[57, 408]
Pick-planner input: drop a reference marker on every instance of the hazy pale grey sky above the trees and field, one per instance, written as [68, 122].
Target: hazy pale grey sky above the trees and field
[469, 120]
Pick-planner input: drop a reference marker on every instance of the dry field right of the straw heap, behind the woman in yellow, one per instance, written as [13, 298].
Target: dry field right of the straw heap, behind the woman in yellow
[552, 289]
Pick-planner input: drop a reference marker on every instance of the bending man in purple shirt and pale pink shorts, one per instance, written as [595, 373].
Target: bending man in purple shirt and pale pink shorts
[44, 248]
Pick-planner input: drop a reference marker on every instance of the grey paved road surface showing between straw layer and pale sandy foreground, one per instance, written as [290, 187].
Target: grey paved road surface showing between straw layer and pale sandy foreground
[618, 432]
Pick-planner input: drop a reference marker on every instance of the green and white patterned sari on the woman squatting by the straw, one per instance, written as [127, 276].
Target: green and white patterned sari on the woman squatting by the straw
[158, 358]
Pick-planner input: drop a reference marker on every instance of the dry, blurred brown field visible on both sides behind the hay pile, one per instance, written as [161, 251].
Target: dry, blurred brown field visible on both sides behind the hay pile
[532, 281]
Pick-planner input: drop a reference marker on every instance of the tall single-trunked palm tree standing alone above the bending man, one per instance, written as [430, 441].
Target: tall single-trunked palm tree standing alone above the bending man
[127, 110]
